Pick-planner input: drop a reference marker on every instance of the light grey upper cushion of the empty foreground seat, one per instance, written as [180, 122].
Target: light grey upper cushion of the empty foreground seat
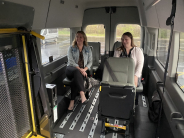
[123, 69]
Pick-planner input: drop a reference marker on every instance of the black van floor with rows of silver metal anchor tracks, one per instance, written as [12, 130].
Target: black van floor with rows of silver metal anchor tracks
[141, 128]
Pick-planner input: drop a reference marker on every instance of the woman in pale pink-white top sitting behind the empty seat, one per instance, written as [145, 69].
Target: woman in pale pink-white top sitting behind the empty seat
[128, 49]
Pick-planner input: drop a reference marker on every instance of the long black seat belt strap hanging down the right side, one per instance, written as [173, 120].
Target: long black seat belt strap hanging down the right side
[169, 21]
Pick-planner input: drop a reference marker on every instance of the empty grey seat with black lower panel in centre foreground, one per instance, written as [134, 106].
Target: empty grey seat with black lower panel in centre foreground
[117, 98]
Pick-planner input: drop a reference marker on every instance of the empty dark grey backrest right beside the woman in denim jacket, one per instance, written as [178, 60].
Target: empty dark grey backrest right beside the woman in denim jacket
[96, 52]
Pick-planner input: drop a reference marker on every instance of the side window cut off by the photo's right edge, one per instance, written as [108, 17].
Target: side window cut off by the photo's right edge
[180, 68]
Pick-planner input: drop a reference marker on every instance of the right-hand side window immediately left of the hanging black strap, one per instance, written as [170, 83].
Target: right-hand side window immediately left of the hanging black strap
[162, 47]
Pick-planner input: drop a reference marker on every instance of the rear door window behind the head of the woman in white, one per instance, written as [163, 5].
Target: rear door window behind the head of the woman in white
[134, 29]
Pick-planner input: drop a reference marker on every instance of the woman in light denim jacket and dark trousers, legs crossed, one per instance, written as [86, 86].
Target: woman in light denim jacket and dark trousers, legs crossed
[79, 61]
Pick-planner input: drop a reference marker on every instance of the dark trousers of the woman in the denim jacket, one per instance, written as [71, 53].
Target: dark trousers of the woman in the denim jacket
[77, 78]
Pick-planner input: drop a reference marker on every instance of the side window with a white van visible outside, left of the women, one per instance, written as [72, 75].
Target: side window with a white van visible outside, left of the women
[56, 43]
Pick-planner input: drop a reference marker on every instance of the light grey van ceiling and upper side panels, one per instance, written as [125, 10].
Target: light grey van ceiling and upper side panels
[52, 14]
